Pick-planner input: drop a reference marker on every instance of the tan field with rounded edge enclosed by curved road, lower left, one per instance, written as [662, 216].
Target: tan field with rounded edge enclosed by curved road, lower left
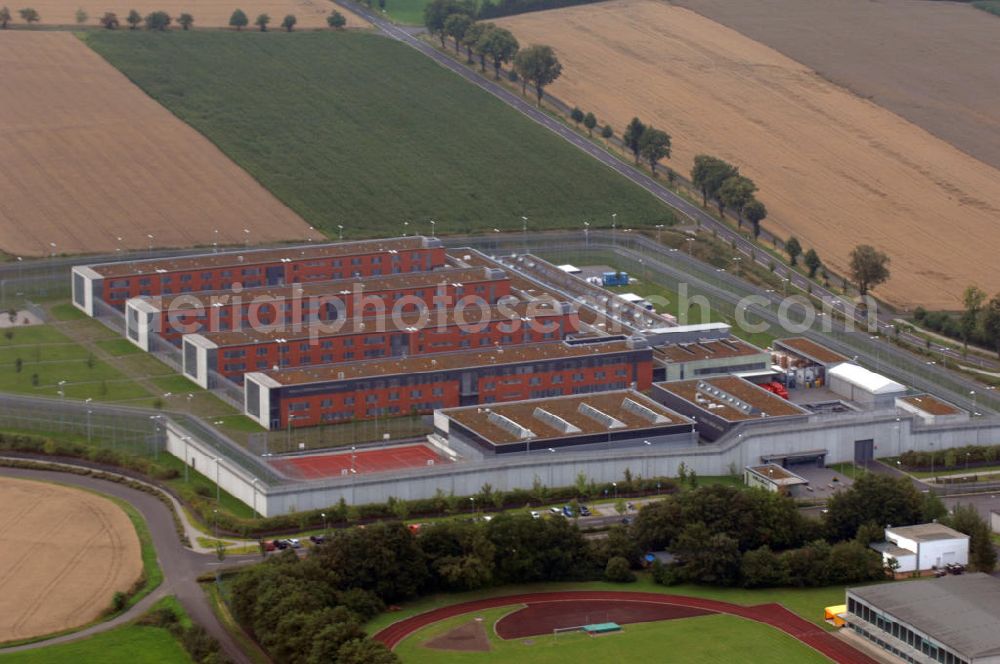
[63, 554]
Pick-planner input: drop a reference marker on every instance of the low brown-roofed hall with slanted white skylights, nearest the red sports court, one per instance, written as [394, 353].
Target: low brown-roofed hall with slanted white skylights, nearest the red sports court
[604, 420]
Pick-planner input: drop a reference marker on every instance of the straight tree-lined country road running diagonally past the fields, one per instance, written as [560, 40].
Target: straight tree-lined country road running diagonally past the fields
[410, 37]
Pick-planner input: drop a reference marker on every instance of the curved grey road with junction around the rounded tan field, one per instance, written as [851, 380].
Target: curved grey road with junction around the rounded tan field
[181, 566]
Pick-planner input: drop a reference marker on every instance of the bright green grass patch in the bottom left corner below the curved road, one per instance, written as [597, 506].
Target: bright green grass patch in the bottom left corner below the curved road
[131, 644]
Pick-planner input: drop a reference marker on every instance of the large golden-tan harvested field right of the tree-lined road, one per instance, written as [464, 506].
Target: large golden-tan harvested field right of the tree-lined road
[834, 170]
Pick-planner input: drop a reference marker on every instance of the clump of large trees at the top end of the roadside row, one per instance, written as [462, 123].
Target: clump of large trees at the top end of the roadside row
[537, 65]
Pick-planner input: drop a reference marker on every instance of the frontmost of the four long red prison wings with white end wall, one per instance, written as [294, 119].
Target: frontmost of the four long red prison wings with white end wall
[400, 386]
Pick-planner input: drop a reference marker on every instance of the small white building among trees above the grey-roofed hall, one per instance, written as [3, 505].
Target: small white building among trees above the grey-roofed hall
[923, 547]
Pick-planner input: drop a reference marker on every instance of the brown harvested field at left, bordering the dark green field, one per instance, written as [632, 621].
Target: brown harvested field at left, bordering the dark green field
[88, 157]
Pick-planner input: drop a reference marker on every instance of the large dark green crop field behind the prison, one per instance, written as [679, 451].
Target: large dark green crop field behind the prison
[352, 128]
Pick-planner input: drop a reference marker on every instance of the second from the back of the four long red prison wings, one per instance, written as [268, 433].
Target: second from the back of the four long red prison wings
[289, 307]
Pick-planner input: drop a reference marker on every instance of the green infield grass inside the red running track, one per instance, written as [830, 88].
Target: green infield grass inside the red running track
[713, 638]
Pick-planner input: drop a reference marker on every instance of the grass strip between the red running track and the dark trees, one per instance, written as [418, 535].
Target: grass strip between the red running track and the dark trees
[806, 602]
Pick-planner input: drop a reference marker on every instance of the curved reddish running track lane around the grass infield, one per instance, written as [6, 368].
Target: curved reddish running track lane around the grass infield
[774, 615]
